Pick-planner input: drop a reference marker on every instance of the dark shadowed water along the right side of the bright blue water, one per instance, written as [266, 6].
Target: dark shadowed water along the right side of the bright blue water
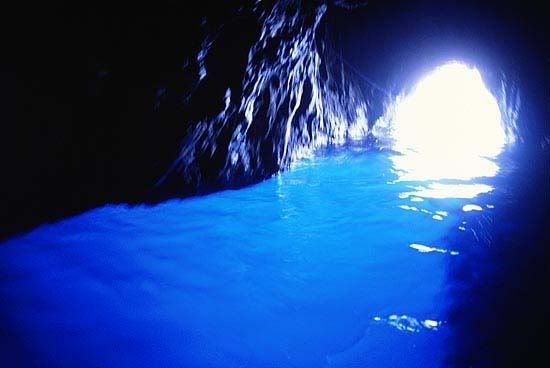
[498, 291]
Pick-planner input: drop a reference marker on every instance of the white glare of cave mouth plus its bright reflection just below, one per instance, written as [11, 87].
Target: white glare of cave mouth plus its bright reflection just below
[448, 127]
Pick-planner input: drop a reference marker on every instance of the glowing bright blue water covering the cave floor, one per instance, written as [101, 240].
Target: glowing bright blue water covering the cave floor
[326, 265]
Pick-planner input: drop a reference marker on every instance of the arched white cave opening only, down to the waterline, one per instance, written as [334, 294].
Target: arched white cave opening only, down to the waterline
[450, 112]
